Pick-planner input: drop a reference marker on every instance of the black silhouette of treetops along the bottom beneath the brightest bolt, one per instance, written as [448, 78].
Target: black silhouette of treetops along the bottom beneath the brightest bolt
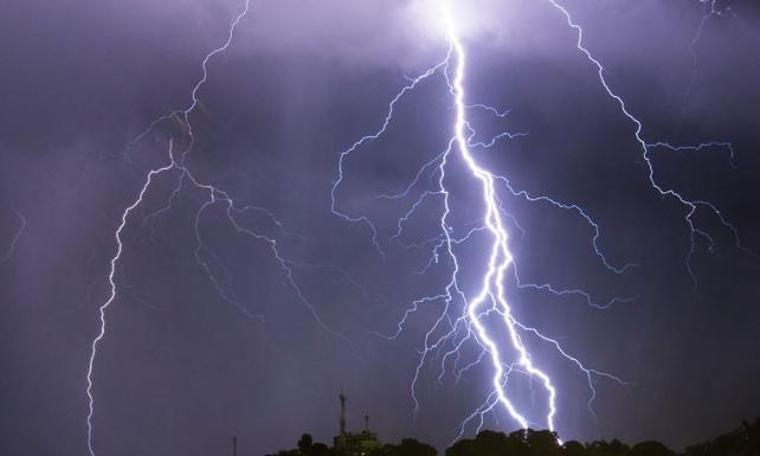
[744, 441]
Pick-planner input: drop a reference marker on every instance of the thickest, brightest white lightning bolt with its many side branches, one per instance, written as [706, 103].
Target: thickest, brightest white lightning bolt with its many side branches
[462, 318]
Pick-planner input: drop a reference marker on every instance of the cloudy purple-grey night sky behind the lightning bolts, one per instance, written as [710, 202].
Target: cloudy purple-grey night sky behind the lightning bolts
[194, 355]
